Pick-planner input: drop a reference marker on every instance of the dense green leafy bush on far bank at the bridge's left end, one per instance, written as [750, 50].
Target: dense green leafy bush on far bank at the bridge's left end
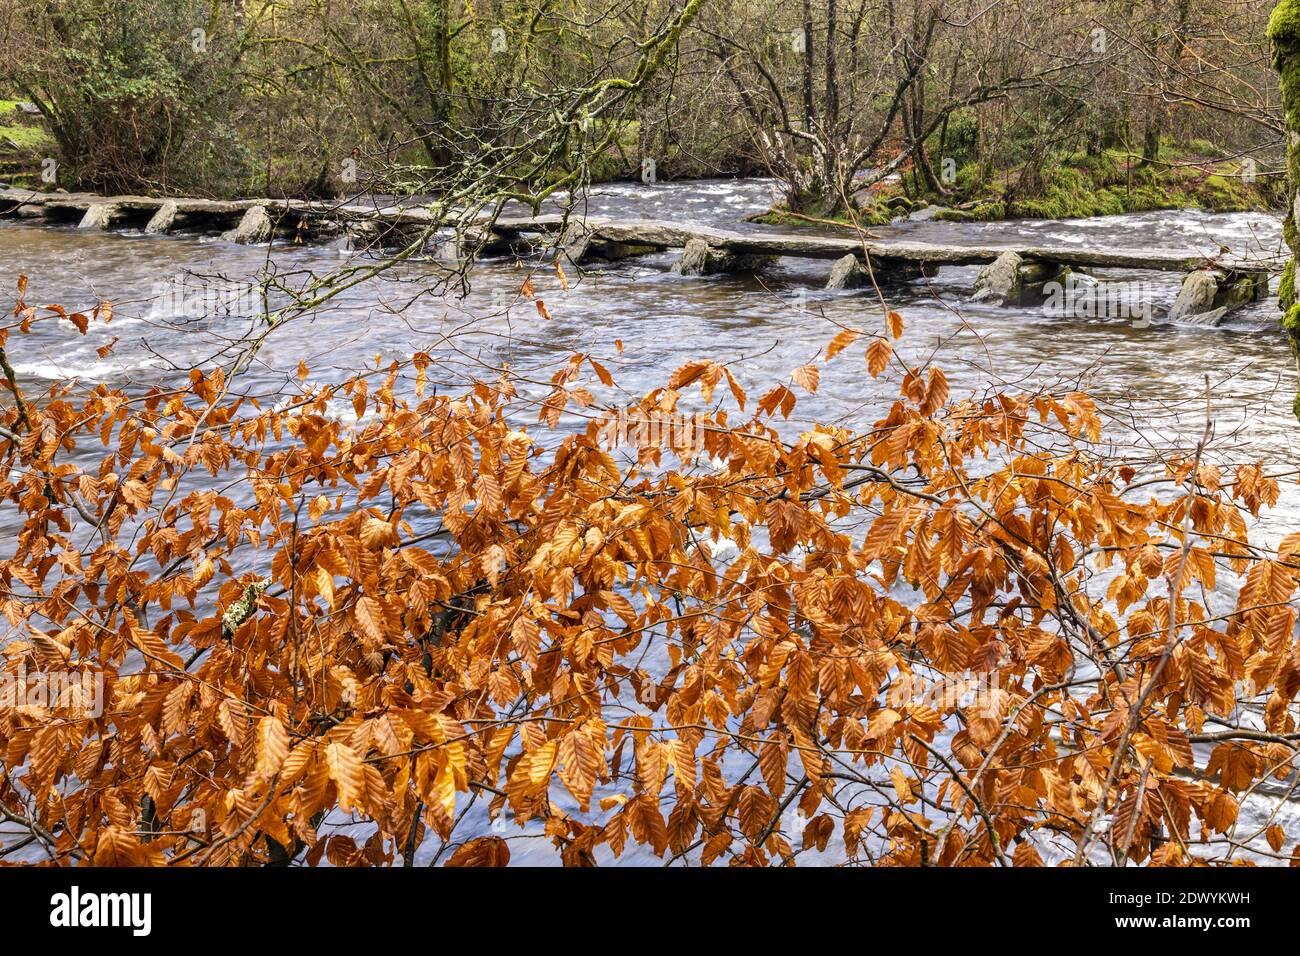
[132, 96]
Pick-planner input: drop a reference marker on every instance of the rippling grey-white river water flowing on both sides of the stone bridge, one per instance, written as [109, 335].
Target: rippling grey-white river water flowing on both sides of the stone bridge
[1152, 374]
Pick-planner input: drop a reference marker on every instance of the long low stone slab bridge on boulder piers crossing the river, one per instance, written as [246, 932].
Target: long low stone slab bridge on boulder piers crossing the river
[1212, 288]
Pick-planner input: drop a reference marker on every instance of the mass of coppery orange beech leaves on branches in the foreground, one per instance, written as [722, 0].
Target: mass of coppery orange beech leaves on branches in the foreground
[963, 637]
